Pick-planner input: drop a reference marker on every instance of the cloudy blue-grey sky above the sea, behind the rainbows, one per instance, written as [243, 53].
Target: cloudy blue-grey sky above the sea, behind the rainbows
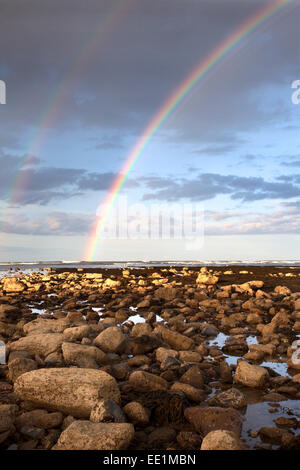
[83, 81]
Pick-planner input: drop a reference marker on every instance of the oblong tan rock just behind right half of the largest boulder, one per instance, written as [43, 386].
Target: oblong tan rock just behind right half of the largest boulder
[89, 357]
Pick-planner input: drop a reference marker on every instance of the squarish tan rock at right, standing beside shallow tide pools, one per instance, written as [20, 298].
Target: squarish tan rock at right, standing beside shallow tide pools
[251, 375]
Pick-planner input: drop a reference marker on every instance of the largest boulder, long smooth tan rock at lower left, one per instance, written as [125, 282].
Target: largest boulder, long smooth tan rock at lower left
[72, 391]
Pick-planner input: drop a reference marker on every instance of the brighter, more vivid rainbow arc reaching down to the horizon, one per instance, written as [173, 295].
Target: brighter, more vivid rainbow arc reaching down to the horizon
[169, 106]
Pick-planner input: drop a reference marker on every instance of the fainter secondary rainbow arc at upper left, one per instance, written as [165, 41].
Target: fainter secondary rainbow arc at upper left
[58, 100]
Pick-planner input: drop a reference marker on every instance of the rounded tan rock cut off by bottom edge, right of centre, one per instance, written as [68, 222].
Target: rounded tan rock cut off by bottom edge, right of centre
[222, 440]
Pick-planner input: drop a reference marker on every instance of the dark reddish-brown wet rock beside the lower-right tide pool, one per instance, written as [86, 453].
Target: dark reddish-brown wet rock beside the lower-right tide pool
[209, 419]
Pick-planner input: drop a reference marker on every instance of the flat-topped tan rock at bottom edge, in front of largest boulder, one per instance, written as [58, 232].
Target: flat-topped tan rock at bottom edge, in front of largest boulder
[85, 435]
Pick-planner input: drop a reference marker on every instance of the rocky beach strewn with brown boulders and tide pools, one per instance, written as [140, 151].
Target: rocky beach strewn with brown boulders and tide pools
[173, 358]
